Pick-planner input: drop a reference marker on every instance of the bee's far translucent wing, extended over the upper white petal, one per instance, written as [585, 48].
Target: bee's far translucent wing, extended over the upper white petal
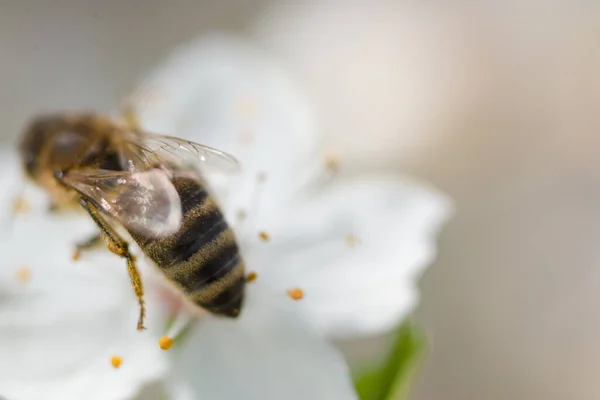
[180, 151]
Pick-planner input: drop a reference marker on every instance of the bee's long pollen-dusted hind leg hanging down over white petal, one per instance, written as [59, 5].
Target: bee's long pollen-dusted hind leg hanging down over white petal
[119, 247]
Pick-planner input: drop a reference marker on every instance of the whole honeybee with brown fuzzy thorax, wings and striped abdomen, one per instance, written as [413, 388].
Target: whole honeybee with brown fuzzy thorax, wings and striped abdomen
[124, 177]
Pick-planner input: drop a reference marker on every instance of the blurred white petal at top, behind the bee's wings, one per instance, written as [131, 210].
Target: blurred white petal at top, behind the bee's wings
[223, 93]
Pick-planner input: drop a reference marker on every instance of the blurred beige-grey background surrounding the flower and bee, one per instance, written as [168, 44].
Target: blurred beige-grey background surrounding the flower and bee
[493, 102]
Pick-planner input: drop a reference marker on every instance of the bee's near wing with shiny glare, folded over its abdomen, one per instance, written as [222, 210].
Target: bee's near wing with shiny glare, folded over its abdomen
[144, 202]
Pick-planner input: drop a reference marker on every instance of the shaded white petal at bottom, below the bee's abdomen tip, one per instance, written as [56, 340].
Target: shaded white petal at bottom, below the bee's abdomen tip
[266, 354]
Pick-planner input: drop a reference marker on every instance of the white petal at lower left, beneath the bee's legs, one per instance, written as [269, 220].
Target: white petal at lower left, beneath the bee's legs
[60, 327]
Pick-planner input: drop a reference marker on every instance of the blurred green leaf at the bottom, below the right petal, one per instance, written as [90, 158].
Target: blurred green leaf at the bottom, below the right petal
[392, 379]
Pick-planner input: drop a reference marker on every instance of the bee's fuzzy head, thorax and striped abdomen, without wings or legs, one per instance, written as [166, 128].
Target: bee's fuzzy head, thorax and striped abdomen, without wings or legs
[202, 257]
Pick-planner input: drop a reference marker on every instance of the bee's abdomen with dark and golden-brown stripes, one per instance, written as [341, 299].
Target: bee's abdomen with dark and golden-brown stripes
[203, 258]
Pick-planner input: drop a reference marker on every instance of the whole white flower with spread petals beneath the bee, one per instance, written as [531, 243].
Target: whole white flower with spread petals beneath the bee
[352, 247]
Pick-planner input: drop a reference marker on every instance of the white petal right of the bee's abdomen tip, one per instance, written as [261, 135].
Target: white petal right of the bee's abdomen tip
[352, 289]
